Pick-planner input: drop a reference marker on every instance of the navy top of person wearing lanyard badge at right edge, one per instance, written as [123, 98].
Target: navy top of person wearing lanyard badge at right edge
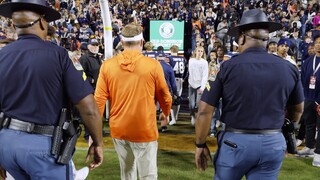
[311, 94]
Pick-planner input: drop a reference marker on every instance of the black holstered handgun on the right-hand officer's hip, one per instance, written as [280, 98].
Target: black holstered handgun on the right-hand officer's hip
[288, 133]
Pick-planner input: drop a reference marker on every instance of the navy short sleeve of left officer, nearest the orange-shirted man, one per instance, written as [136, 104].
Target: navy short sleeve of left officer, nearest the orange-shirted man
[75, 81]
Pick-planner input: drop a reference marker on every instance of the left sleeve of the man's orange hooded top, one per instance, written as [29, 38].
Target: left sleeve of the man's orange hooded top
[101, 93]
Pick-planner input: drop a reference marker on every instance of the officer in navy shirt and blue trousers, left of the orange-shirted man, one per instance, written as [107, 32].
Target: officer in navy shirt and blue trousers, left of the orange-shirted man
[37, 80]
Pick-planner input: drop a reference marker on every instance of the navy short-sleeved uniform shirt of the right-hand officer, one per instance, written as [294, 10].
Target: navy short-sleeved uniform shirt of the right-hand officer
[255, 87]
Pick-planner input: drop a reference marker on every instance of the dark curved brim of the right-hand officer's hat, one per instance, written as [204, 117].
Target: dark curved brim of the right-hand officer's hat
[271, 26]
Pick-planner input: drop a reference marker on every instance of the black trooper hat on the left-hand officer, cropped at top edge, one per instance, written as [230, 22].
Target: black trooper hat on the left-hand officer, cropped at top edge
[39, 6]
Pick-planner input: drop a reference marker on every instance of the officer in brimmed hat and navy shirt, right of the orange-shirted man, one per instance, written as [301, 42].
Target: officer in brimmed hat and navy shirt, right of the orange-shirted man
[258, 91]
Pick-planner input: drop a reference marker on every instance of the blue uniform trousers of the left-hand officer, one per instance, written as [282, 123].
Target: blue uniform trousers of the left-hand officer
[27, 156]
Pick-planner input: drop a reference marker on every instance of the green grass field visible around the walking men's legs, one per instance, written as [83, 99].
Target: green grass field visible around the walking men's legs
[180, 166]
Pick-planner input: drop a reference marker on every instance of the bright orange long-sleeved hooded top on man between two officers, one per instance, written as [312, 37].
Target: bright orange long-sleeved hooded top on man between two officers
[132, 83]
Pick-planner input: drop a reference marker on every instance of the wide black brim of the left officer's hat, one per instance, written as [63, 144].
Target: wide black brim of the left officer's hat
[6, 10]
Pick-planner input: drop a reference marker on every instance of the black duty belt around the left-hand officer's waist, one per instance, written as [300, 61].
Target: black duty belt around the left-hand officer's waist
[28, 127]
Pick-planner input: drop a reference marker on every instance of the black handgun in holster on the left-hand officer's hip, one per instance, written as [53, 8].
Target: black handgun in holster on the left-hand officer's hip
[71, 132]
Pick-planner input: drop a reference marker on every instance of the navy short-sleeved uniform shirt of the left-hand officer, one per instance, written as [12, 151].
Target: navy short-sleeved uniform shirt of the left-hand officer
[37, 80]
